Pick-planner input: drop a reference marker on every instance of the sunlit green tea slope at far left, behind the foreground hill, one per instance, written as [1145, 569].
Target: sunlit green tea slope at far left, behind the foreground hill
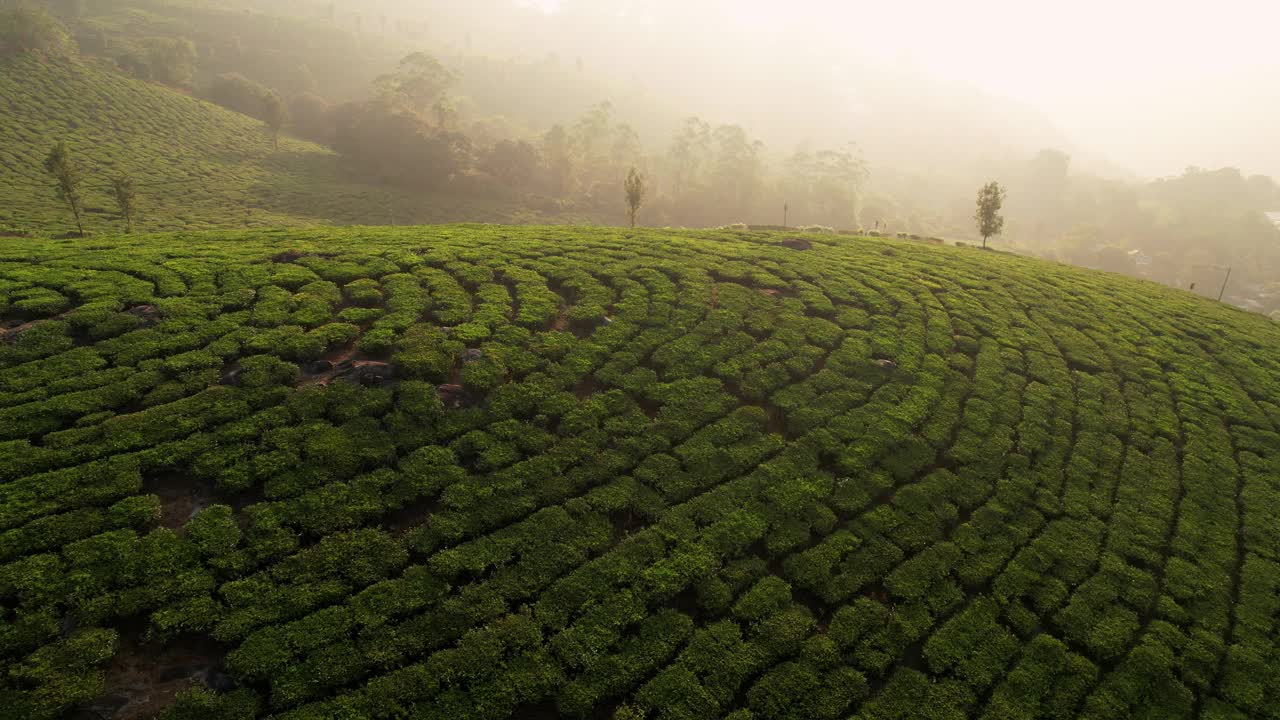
[196, 166]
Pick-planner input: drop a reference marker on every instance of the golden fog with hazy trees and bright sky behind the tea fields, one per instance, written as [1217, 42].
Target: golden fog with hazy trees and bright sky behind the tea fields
[1131, 135]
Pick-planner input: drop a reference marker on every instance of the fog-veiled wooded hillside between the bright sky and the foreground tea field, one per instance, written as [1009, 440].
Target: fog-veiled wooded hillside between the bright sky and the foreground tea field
[540, 116]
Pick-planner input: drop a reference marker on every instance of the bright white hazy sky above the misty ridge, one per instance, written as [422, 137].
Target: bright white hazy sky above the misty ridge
[1154, 86]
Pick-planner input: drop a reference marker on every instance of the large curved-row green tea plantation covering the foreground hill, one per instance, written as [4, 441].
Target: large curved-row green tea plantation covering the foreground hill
[483, 472]
